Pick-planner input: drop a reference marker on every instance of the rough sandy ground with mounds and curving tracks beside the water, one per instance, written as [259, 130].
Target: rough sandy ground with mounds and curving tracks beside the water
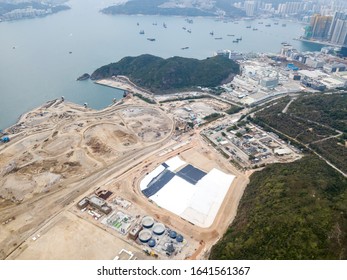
[50, 161]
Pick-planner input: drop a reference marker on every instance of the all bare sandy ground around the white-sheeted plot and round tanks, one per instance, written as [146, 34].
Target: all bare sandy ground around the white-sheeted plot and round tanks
[61, 152]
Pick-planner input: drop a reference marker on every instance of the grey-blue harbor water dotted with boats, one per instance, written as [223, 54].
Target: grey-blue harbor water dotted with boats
[41, 58]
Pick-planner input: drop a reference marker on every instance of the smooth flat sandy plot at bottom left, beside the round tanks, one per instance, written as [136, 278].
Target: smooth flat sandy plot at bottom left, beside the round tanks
[74, 239]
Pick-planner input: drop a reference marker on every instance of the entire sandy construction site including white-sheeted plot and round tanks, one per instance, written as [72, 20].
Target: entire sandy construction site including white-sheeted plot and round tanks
[131, 181]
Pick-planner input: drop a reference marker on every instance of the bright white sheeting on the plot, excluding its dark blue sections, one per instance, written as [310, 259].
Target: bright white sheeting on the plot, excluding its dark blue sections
[199, 203]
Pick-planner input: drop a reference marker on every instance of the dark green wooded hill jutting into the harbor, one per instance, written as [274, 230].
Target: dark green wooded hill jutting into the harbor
[161, 75]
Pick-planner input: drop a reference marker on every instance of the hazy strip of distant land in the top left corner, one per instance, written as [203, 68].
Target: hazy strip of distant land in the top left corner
[30, 9]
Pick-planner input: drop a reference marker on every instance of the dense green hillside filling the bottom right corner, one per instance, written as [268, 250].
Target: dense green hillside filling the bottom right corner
[290, 211]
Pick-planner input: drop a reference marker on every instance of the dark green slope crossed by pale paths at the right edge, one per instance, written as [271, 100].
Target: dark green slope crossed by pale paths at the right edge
[312, 119]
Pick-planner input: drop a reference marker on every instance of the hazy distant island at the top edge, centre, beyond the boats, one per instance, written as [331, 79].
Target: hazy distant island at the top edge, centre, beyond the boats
[176, 8]
